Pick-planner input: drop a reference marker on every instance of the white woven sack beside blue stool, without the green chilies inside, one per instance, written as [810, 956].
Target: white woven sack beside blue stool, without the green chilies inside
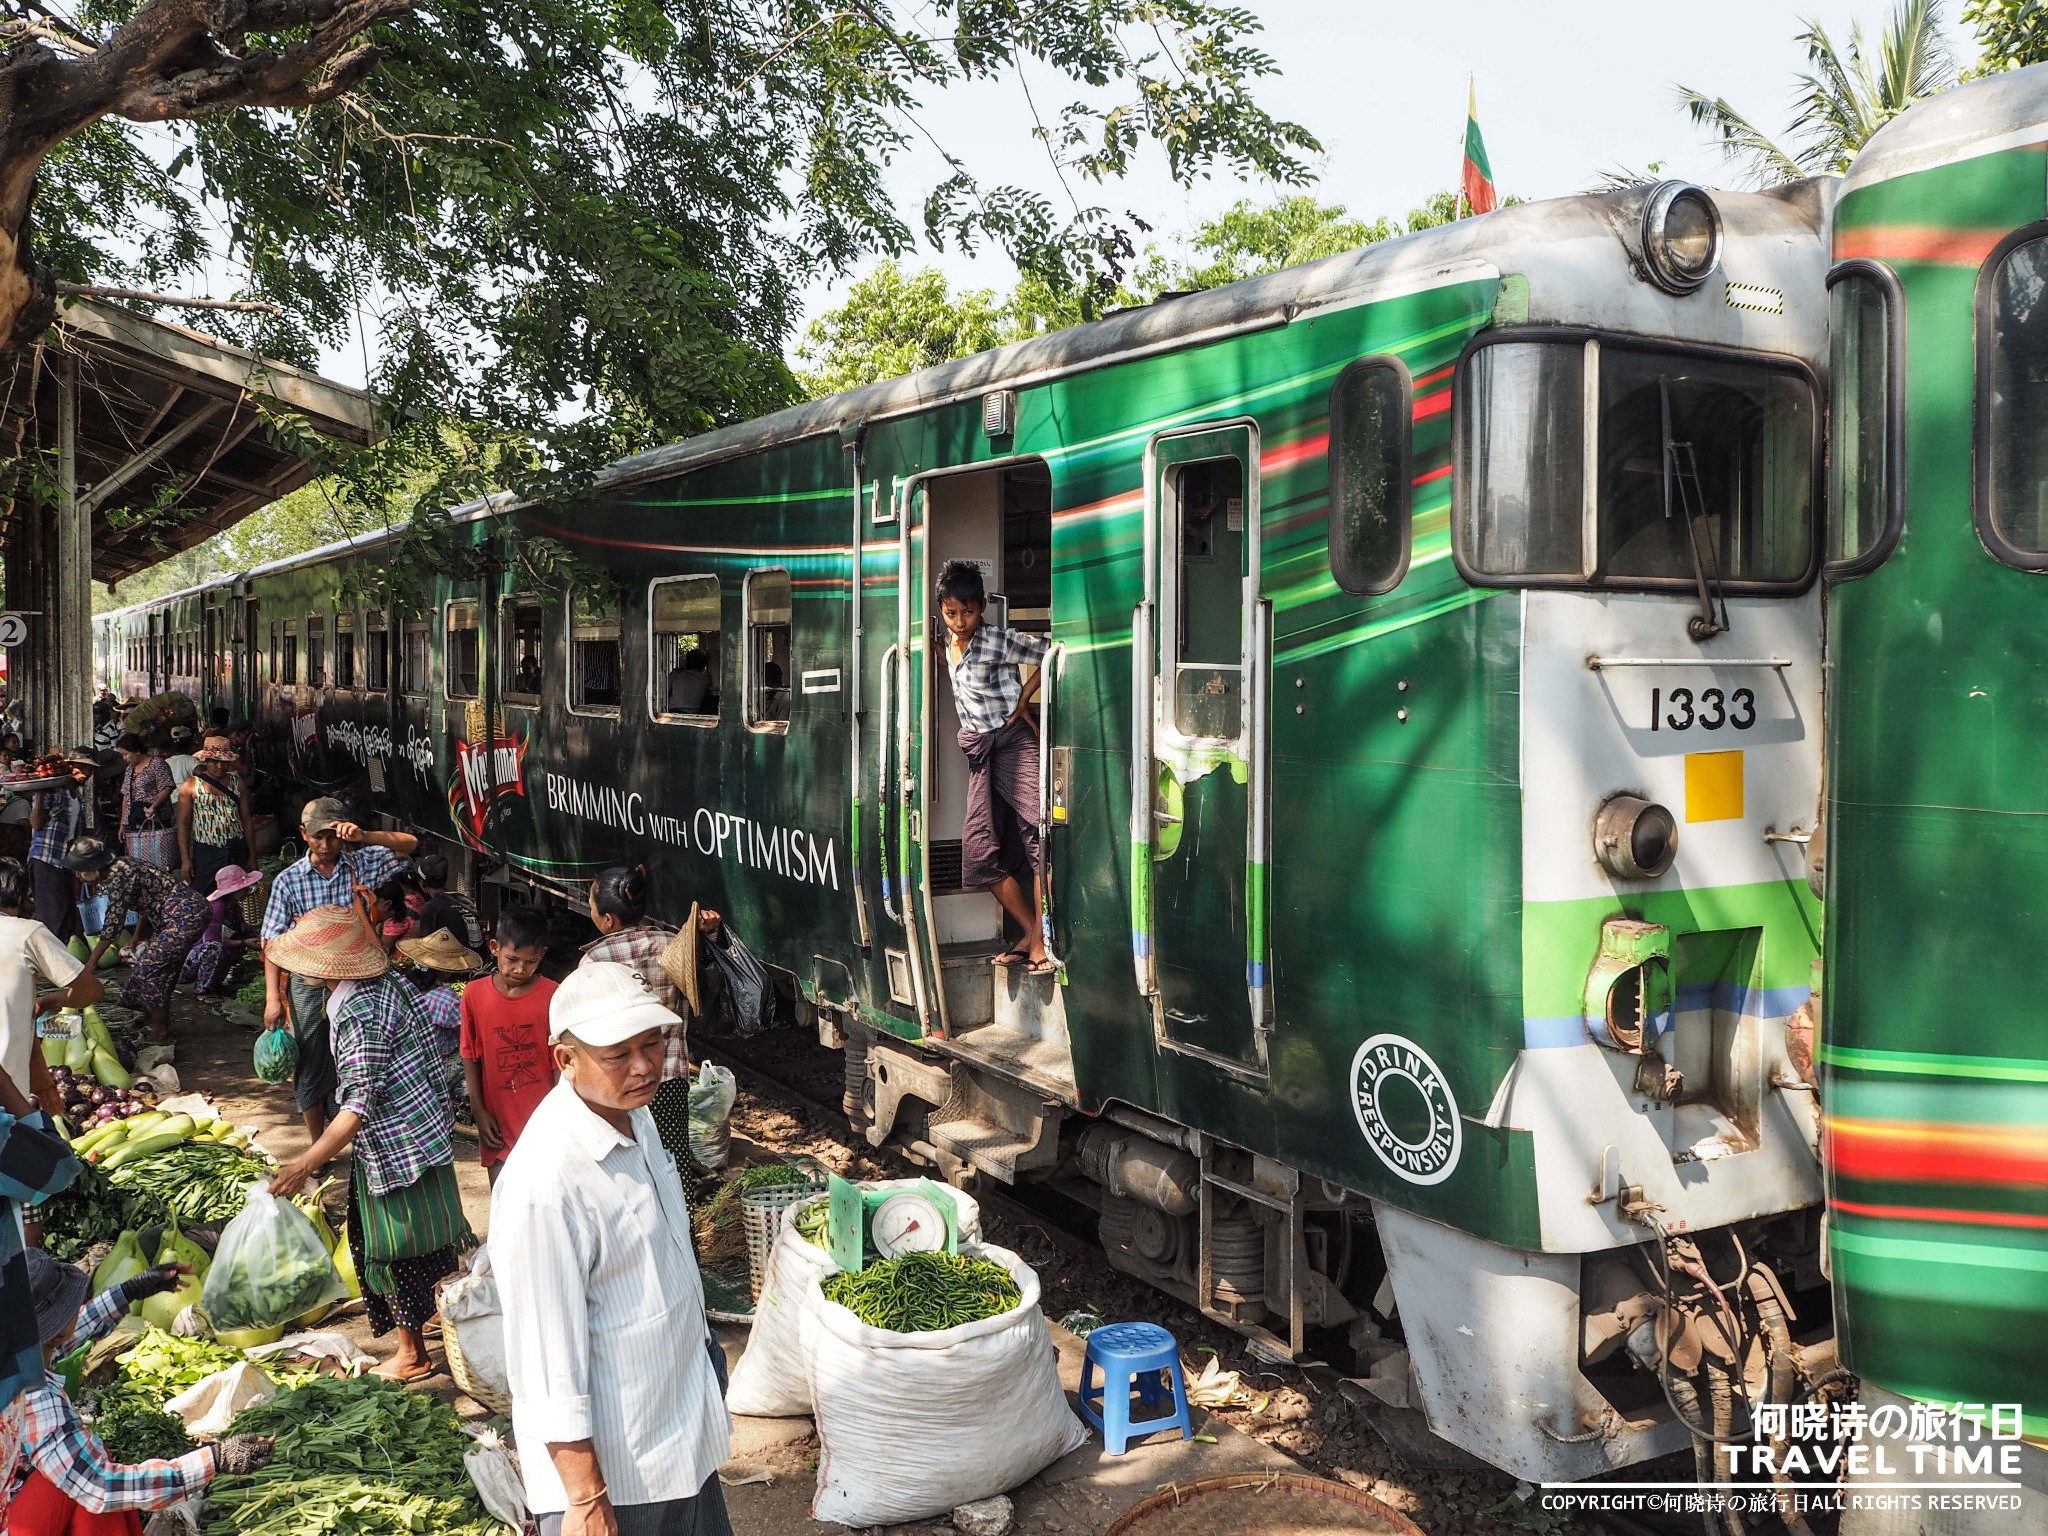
[916, 1424]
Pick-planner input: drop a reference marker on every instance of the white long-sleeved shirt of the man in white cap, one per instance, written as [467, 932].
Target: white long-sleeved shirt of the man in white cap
[605, 1312]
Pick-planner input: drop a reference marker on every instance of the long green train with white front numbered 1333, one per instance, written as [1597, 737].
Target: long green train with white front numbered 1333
[1431, 736]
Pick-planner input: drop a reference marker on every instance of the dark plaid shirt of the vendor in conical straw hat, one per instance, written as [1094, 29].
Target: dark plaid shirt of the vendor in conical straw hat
[390, 1068]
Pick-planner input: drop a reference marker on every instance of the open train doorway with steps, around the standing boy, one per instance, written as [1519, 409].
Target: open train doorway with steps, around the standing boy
[1000, 519]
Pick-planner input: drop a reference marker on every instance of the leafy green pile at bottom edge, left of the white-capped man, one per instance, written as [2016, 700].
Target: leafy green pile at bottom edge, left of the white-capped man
[353, 1459]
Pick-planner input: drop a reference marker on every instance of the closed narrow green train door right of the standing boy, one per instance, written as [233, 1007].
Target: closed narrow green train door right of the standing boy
[1201, 658]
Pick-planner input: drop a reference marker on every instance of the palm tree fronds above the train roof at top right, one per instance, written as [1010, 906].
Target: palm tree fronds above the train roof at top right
[1844, 97]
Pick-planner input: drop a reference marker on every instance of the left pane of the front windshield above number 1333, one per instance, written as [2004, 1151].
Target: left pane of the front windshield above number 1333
[1525, 488]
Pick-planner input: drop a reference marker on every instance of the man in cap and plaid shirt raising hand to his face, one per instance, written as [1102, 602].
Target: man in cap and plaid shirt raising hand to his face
[341, 859]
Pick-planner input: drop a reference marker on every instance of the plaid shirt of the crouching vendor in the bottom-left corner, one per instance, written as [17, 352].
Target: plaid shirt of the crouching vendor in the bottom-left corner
[54, 1443]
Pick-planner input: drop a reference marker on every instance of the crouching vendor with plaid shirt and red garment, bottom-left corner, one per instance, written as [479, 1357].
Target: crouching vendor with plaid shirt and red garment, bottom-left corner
[62, 1480]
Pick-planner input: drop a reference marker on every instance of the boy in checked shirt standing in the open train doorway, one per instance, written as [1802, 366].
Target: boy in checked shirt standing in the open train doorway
[1000, 839]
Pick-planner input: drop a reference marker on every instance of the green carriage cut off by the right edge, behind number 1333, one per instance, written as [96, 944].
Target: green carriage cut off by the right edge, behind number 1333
[1934, 1060]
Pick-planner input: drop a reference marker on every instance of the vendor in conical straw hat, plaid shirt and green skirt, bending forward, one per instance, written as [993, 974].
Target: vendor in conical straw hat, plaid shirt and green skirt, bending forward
[407, 1222]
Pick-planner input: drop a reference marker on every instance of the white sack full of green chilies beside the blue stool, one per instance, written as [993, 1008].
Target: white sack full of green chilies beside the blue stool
[916, 1353]
